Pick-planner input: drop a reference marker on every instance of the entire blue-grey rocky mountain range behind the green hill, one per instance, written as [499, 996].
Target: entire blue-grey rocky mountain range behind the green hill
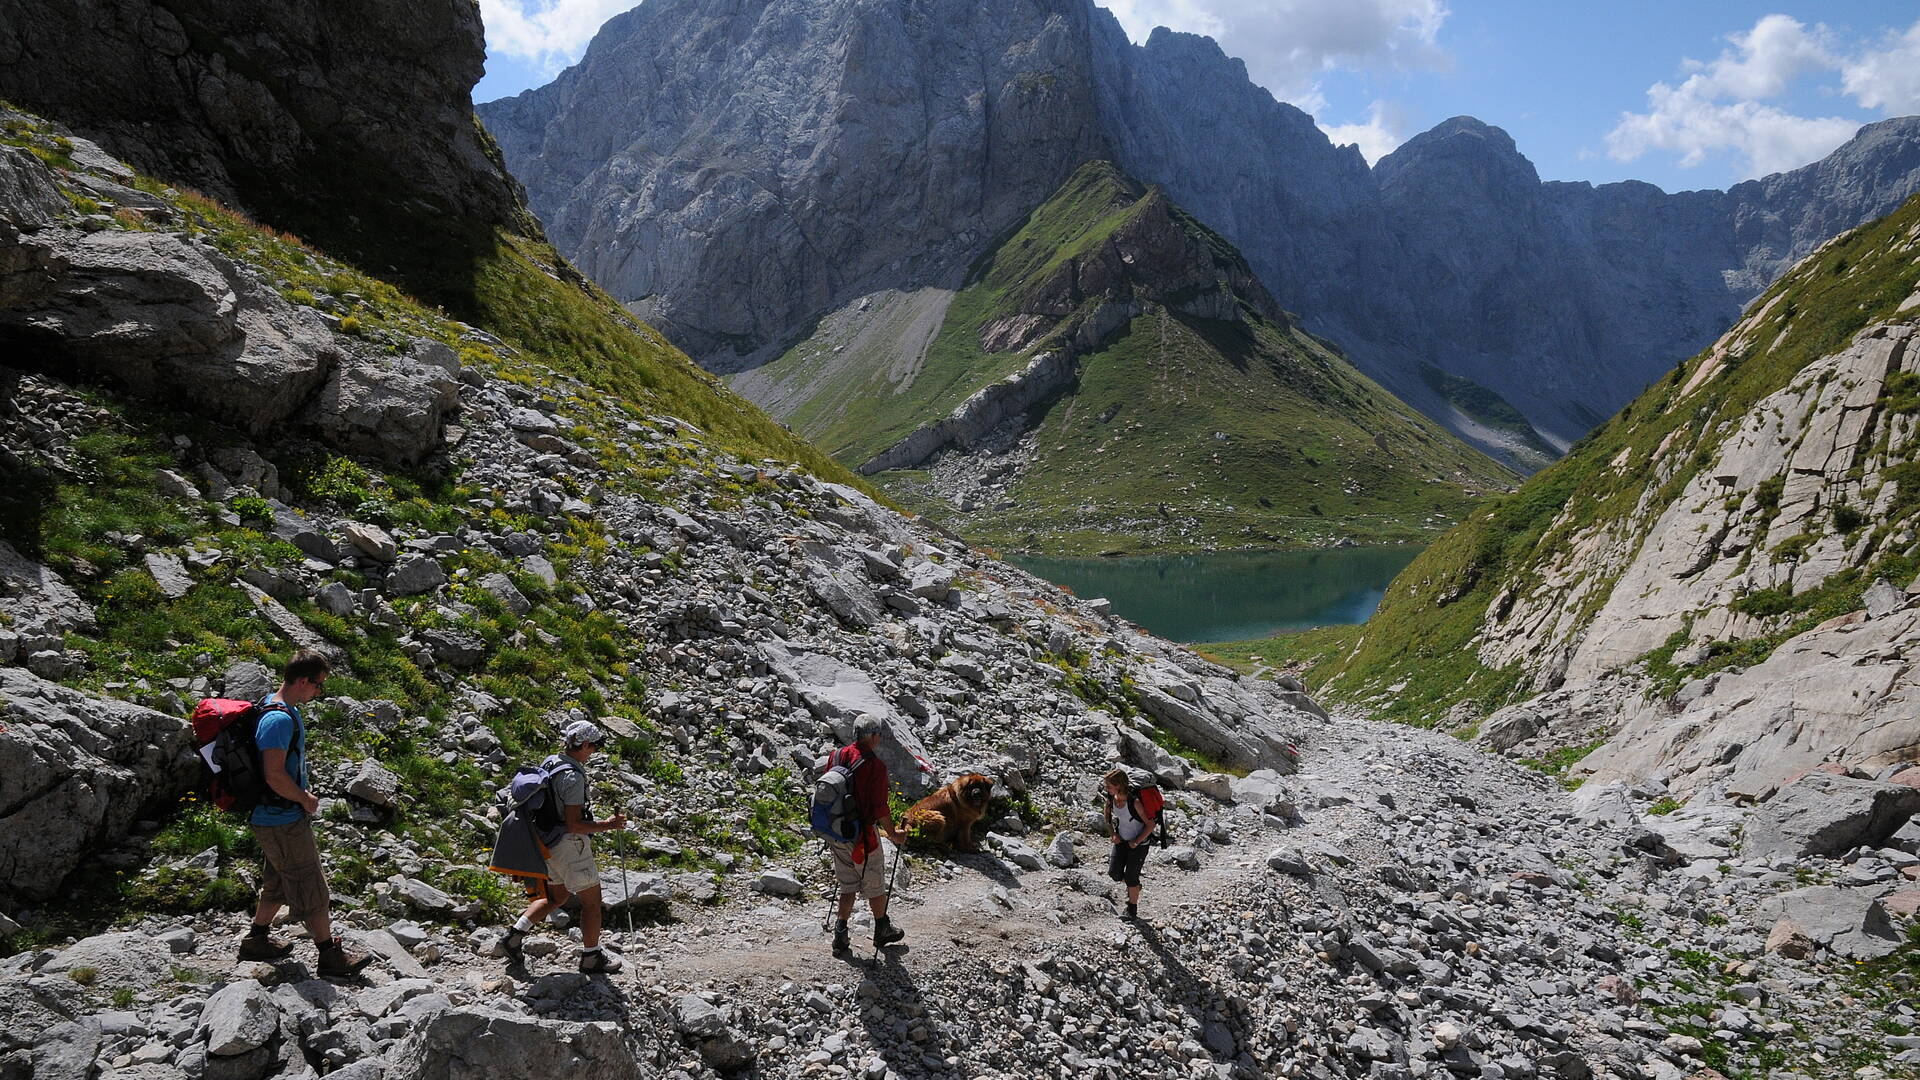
[734, 172]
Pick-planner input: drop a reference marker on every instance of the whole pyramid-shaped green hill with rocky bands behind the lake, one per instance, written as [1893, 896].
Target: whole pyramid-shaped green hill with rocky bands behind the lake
[1115, 378]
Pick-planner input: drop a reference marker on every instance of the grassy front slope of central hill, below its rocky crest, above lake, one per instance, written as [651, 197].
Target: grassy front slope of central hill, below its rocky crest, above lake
[1191, 433]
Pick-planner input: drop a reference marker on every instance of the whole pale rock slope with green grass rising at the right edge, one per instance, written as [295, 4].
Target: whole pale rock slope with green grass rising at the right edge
[1725, 577]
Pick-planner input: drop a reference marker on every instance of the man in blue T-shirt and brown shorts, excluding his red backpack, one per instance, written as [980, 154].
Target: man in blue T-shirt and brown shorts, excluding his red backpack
[283, 825]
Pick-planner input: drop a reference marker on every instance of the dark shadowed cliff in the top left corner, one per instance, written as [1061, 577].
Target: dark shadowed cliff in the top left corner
[345, 122]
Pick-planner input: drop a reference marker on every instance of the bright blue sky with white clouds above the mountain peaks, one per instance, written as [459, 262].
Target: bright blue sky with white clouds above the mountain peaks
[1679, 93]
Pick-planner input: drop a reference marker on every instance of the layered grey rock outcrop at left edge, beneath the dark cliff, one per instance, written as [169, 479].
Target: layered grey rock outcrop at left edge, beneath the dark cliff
[164, 314]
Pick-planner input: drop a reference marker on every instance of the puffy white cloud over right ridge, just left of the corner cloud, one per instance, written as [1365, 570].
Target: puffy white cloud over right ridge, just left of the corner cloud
[1721, 105]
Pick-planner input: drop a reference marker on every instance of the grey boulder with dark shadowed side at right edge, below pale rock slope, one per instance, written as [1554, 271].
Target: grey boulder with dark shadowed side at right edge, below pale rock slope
[1829, 816]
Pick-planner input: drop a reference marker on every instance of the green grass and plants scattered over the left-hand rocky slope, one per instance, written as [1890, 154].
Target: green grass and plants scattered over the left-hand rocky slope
[89, 510]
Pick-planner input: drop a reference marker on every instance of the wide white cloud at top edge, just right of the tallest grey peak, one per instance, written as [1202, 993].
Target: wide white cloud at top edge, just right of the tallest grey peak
[1289, 45]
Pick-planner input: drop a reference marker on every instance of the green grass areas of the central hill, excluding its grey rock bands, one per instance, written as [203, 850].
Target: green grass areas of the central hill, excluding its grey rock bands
[1314, 451]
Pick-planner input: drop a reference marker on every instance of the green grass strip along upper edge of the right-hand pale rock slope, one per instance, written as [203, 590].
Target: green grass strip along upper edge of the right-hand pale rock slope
[1424, 639]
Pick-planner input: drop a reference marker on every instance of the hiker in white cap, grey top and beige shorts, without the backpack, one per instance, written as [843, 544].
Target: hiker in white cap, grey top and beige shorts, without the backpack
[571, 868]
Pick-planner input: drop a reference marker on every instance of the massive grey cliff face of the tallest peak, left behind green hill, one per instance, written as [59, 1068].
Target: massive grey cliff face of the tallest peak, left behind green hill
[734, 170]
